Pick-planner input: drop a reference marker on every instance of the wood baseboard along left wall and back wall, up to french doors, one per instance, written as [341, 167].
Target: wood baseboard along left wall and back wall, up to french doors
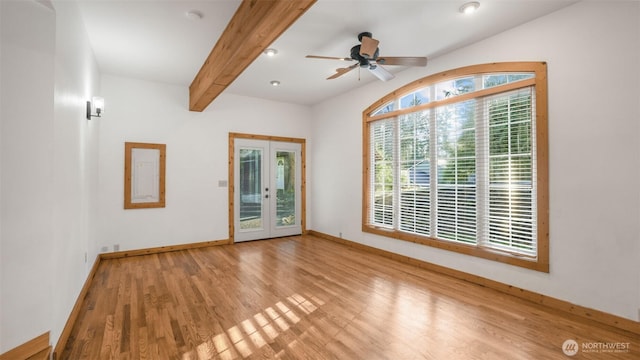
[73, 316]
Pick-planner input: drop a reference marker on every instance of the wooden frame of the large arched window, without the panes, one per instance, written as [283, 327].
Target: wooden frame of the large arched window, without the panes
[541, 260]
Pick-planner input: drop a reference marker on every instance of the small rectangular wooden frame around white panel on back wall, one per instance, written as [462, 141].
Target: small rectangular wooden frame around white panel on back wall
[129, 173]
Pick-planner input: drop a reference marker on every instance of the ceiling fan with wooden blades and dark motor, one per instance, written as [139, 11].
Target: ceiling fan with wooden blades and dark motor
[367, 55]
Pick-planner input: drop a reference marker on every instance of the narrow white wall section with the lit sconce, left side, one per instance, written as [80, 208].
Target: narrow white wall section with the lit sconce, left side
[75, 172]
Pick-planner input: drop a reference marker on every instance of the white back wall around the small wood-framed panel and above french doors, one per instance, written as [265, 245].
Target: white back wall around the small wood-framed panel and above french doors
[197, 155]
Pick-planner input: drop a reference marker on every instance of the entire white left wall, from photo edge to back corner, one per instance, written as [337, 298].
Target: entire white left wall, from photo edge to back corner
[48, 166]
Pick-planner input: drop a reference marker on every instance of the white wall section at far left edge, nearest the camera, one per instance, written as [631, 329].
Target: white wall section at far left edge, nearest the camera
[27, 112]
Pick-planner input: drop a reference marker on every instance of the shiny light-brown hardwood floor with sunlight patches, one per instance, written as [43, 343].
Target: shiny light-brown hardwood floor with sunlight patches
[309, 298]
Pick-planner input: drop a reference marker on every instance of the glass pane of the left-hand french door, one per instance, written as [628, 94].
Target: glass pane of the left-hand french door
[250, 189]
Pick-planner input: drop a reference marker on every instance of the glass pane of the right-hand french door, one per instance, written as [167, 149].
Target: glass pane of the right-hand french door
[286, 188]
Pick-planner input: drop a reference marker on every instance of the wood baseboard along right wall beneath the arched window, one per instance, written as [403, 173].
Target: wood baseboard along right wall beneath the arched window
[562, 306]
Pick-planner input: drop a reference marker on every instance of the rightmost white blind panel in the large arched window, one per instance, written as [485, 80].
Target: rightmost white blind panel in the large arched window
[511, 158]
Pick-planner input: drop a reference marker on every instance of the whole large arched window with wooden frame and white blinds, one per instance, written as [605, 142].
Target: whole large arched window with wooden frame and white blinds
[458, 161]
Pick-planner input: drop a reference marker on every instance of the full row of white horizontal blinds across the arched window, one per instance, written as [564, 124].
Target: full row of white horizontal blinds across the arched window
[462, 171]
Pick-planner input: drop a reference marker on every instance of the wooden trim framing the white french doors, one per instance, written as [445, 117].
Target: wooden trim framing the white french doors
[231, 182]
